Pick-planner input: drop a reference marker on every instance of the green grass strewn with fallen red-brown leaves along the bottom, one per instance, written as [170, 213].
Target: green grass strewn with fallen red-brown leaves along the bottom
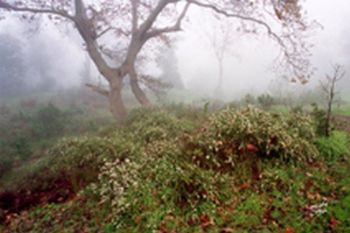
[287, 198]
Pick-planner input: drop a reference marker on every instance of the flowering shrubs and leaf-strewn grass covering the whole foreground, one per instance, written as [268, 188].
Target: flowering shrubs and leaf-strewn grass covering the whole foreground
[184, 169]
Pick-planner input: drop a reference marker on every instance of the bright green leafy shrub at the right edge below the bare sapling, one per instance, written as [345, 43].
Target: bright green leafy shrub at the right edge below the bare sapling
[335, 146]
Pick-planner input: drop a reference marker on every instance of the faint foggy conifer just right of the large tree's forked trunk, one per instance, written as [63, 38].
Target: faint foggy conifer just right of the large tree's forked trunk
[168, 64]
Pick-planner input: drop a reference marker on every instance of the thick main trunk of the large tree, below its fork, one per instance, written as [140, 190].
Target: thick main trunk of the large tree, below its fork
[116, 102]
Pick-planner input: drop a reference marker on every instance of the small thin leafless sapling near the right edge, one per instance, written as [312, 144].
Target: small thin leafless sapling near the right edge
[329, 88]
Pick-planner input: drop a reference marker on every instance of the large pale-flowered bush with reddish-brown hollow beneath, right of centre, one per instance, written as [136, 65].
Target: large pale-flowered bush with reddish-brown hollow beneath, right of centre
[250, 133]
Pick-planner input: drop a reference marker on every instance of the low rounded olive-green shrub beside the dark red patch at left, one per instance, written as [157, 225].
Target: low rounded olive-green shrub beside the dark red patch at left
[81, 158]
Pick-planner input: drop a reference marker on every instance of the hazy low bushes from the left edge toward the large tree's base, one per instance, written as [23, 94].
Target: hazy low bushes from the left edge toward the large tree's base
[25, 135]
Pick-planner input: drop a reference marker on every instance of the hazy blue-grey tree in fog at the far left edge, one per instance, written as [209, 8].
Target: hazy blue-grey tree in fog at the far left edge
[12, 67]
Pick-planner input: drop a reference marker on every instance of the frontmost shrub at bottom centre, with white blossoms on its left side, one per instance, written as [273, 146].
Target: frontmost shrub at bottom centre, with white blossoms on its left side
[147, 190]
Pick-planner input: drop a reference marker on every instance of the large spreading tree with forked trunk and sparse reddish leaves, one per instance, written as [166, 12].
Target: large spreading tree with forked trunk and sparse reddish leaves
[131, 24]
